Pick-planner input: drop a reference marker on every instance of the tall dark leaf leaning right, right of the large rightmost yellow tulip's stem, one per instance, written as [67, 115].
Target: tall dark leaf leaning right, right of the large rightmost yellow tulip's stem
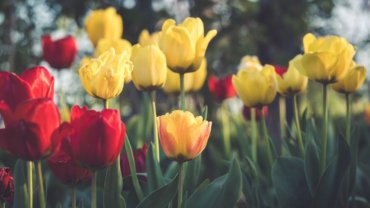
[328, 188]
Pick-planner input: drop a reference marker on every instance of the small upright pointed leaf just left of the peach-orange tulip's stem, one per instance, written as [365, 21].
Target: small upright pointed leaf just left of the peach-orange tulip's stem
[155, 176]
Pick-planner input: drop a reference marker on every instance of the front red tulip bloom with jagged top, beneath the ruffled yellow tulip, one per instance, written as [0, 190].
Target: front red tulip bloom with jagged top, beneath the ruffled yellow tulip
[97, 137]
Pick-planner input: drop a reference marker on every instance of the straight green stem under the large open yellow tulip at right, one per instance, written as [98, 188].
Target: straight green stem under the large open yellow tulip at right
[324, 140]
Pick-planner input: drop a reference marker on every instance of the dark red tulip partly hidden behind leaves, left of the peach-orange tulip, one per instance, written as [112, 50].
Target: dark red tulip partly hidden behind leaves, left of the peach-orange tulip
[139, 157]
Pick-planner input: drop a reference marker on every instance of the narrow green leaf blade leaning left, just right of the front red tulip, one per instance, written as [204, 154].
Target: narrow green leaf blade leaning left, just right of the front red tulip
[131, 162]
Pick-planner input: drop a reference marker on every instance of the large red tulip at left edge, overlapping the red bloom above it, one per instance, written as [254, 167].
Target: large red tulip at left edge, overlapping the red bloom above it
[28, 128]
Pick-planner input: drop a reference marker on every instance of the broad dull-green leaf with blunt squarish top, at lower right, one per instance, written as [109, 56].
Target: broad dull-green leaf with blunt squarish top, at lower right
[289, 180]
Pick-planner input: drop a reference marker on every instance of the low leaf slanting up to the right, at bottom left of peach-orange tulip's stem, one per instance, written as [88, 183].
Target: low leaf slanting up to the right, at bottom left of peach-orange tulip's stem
[161, 197]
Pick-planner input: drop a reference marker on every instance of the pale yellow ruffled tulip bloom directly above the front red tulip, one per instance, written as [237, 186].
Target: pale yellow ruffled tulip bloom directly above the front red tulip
[104, 76]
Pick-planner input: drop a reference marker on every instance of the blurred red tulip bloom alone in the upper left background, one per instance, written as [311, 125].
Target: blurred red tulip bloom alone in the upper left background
[59, 53]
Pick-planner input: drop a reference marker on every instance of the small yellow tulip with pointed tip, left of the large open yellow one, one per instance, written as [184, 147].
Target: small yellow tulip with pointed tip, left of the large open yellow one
[291, 82]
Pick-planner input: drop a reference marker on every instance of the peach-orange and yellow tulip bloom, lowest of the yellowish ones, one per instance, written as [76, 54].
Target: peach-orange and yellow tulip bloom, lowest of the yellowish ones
[182, 135]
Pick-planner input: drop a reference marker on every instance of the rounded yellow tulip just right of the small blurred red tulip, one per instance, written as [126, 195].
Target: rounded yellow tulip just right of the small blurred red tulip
[256, 87]
